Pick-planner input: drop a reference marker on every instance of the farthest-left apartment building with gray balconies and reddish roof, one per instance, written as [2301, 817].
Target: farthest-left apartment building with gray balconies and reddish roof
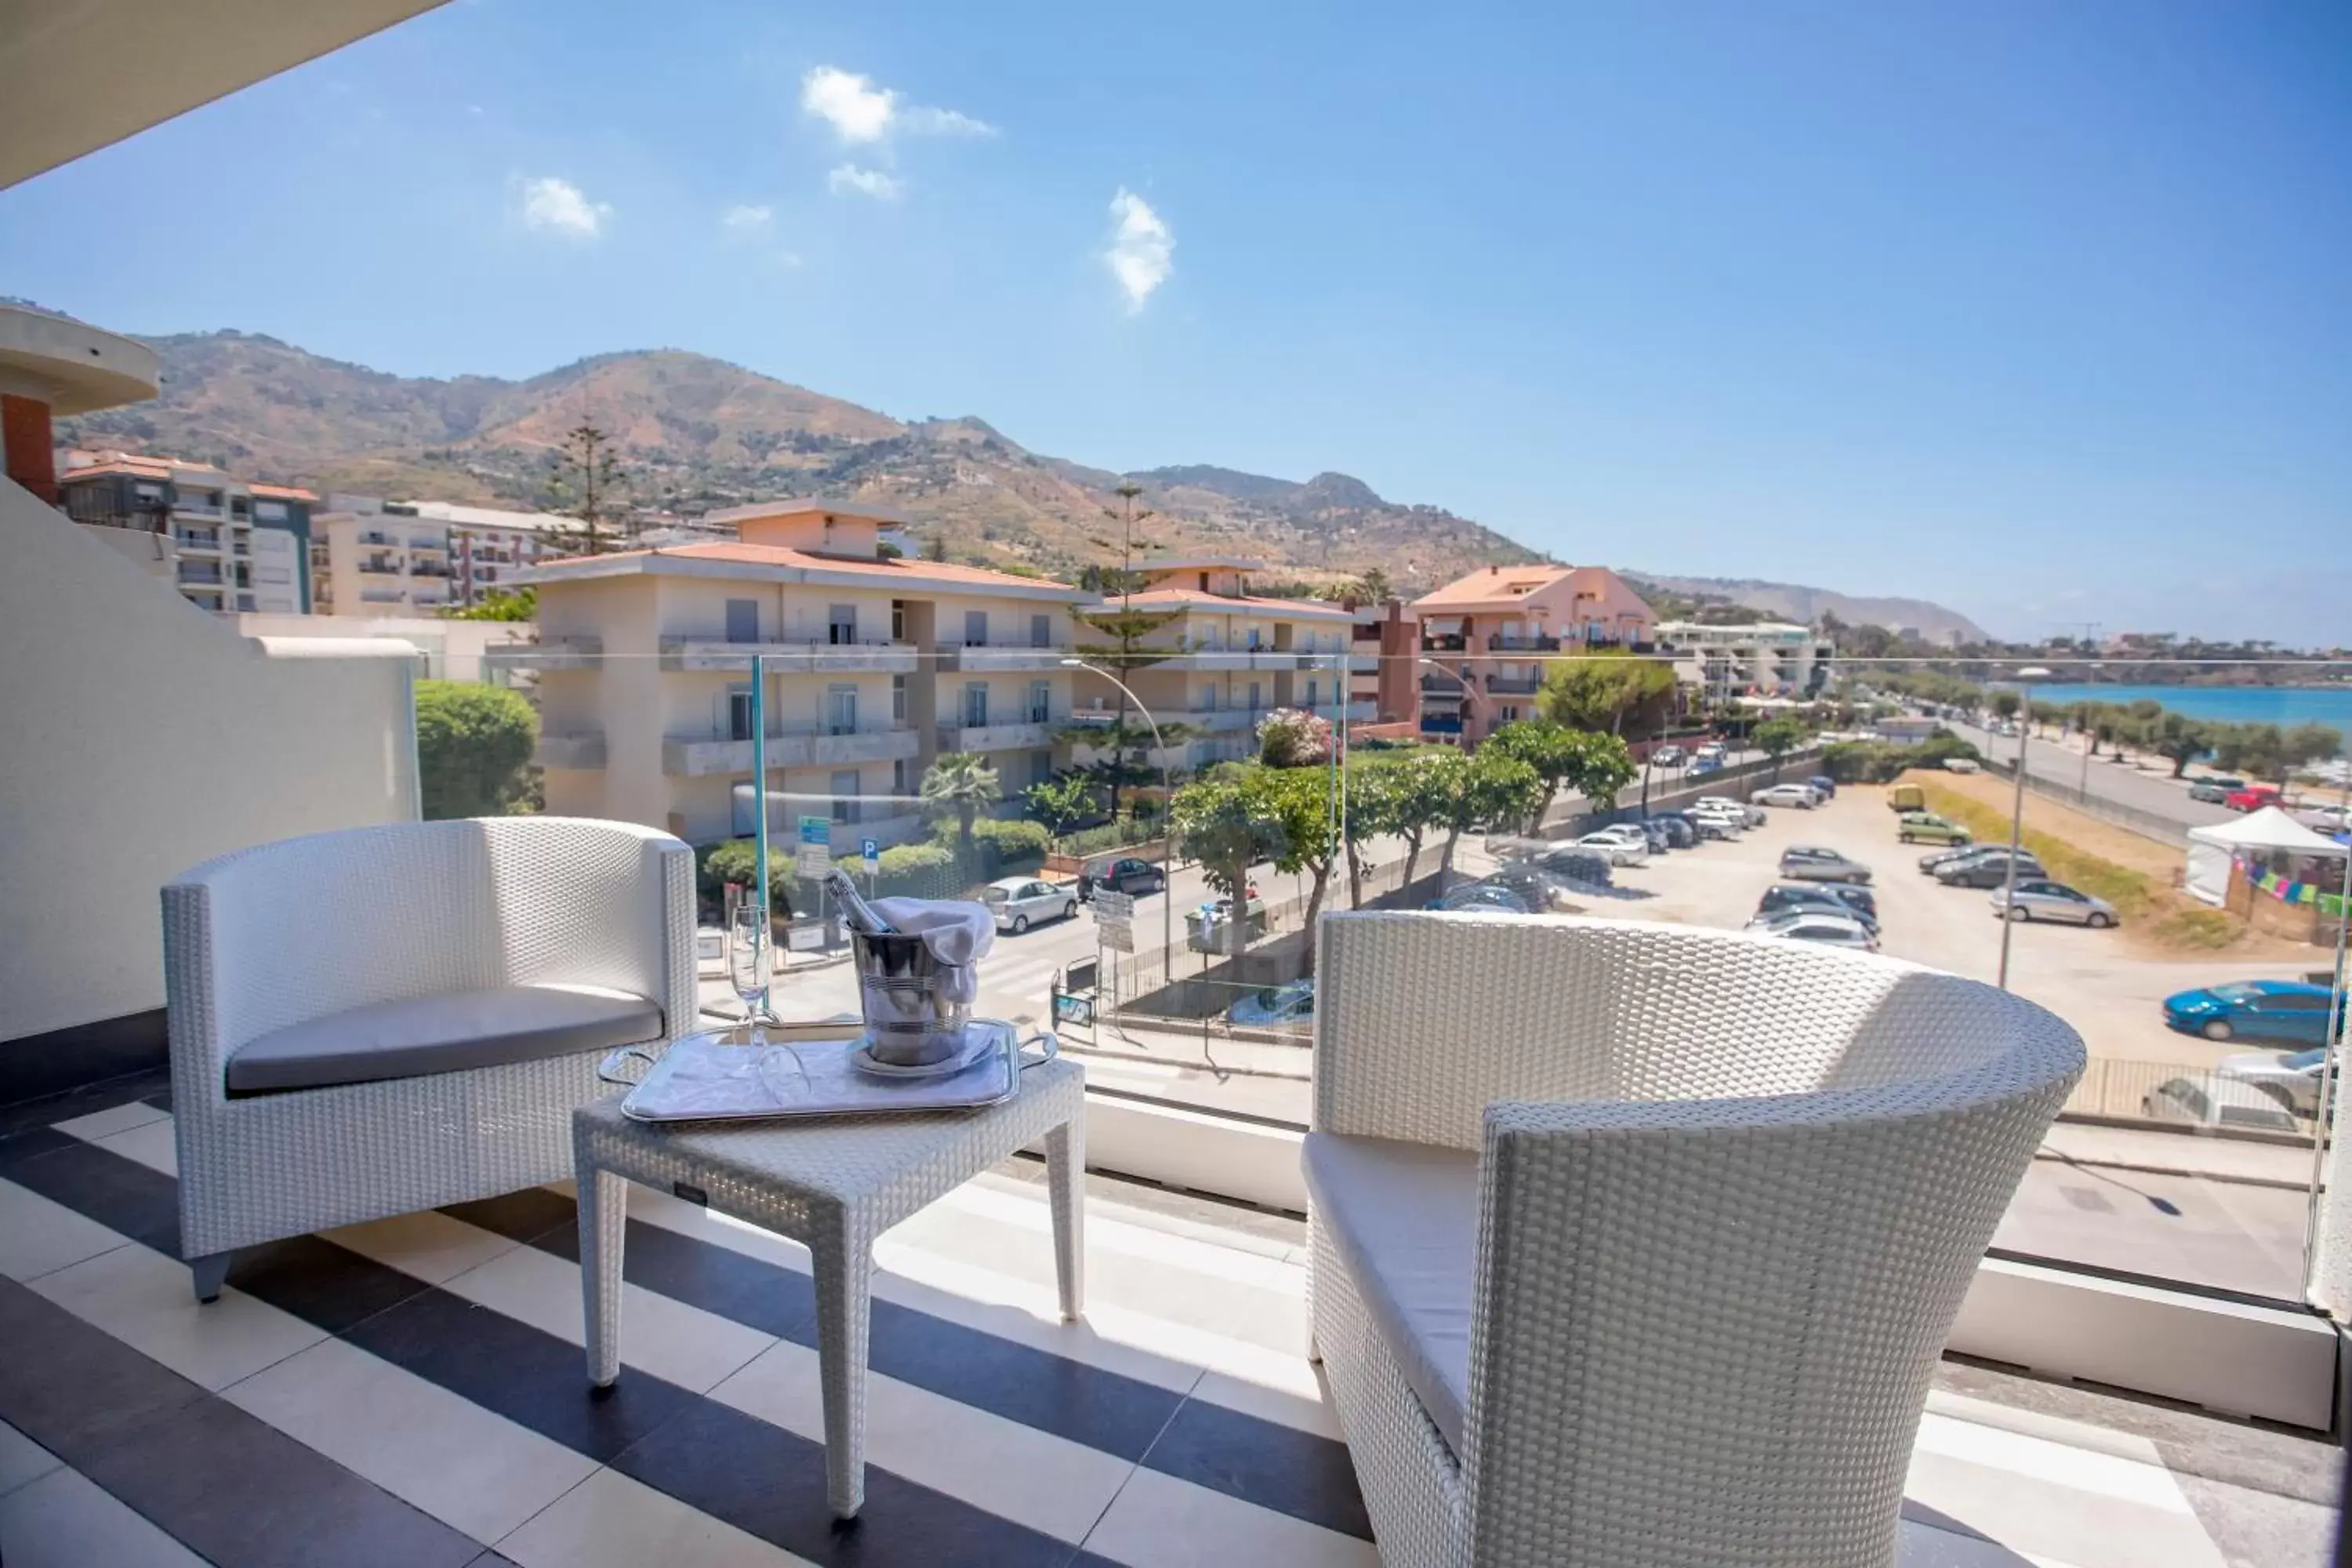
[225, 544]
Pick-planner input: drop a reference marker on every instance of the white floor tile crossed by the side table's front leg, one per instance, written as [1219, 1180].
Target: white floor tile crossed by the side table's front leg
[998, 1466]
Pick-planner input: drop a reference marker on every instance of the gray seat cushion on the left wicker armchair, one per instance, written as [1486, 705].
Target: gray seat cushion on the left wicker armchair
[401, 1040]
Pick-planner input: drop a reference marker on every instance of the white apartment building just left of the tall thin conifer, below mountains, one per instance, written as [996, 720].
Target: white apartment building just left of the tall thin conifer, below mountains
[394, 558]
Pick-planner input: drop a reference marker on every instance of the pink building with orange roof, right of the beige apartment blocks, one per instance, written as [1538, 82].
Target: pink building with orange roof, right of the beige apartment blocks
[1488, 638]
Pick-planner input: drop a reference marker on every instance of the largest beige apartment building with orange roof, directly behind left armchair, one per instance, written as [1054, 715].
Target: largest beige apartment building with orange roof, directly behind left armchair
[874, 669]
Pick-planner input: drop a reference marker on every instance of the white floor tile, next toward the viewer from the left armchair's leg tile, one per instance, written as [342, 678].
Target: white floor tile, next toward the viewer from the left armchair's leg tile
[469, 1468]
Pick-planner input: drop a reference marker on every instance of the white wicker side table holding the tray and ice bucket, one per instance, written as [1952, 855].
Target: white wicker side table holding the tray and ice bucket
[831, 1184]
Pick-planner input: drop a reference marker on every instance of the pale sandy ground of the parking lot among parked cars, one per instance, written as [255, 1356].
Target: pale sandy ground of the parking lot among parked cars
[2087, 977]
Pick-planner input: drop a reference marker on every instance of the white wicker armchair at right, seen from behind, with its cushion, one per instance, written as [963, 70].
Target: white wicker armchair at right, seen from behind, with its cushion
[1636, 1245]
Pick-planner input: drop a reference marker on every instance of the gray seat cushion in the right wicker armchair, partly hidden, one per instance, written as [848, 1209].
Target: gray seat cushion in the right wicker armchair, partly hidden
[1403, 1217]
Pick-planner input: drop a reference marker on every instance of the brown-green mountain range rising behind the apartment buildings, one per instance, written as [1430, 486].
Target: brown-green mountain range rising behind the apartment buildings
[702, 434]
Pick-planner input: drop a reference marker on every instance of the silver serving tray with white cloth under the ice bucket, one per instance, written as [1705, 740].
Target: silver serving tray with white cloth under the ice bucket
[711, 1076]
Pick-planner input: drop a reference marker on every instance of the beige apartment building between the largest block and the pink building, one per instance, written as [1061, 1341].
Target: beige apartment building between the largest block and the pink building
[1231, 657]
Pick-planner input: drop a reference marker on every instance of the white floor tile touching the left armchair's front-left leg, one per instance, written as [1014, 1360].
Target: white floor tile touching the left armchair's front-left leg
[142, 1299]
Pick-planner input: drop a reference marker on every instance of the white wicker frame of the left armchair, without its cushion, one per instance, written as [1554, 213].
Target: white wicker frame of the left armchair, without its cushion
[290, 942]
